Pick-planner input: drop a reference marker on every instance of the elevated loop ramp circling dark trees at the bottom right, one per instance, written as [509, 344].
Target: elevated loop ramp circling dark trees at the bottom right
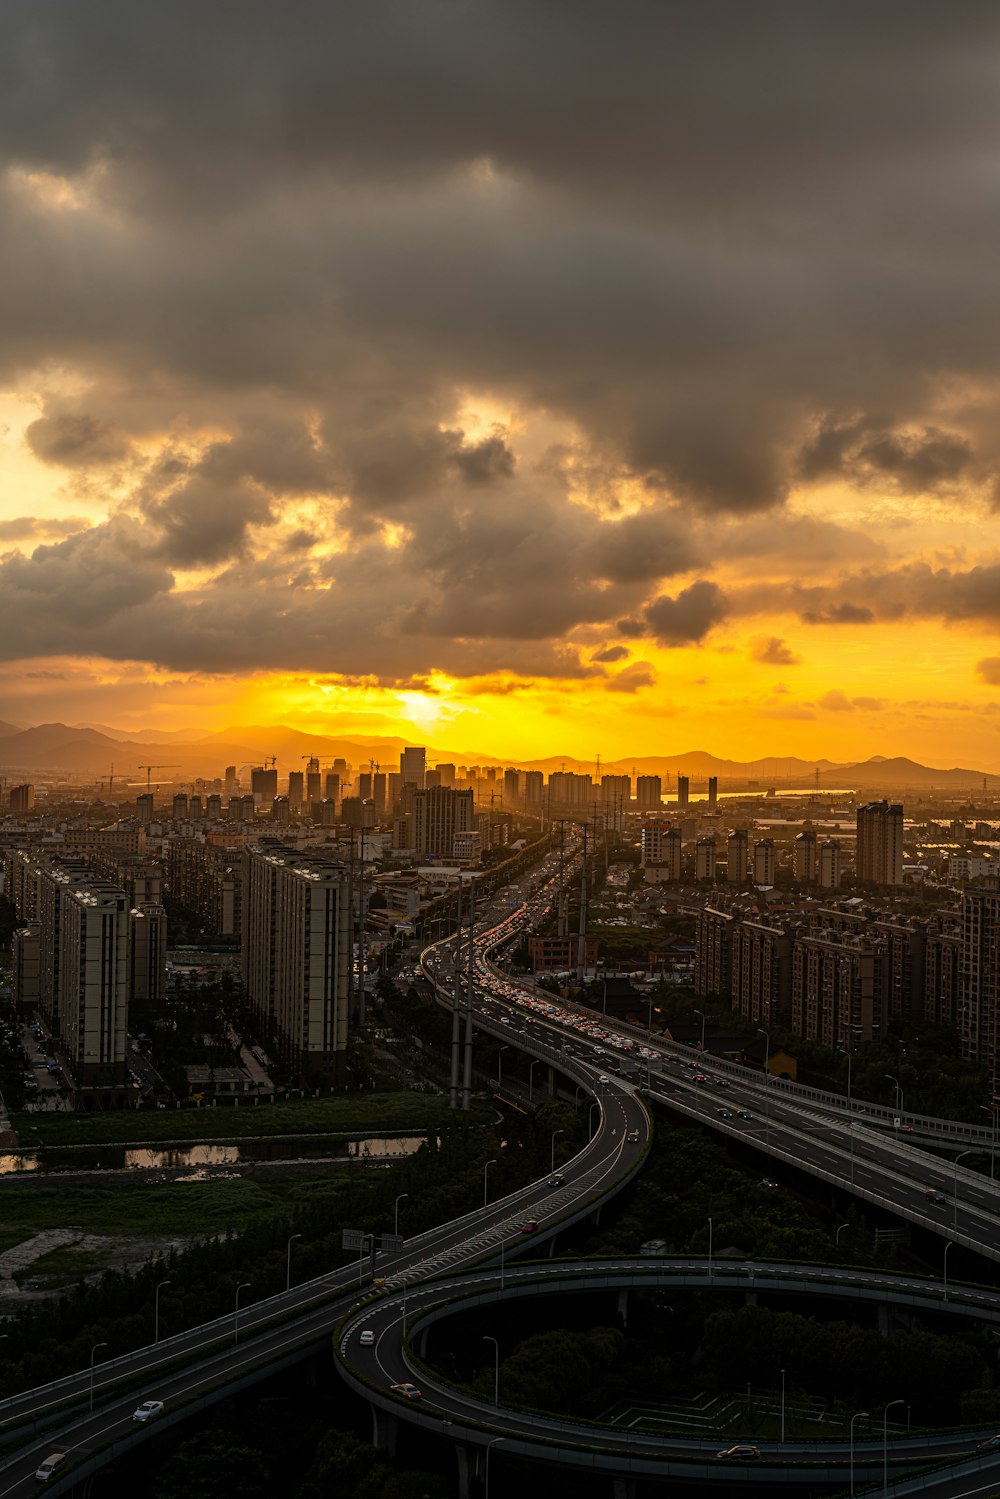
[401, 1323]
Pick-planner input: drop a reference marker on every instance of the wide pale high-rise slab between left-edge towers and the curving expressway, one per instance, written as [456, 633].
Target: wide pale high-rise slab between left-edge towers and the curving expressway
[298, 957]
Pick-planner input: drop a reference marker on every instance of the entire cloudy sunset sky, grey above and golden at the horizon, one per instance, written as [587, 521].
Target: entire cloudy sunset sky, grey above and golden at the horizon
[530, 375]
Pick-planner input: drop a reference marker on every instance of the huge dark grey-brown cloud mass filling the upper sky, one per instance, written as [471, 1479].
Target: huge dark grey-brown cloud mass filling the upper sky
[695, 232]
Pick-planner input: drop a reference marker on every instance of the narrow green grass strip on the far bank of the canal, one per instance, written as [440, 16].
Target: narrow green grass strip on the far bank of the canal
[365, 1115]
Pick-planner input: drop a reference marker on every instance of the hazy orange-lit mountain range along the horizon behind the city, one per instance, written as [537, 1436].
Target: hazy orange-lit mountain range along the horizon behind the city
[89, 750]
